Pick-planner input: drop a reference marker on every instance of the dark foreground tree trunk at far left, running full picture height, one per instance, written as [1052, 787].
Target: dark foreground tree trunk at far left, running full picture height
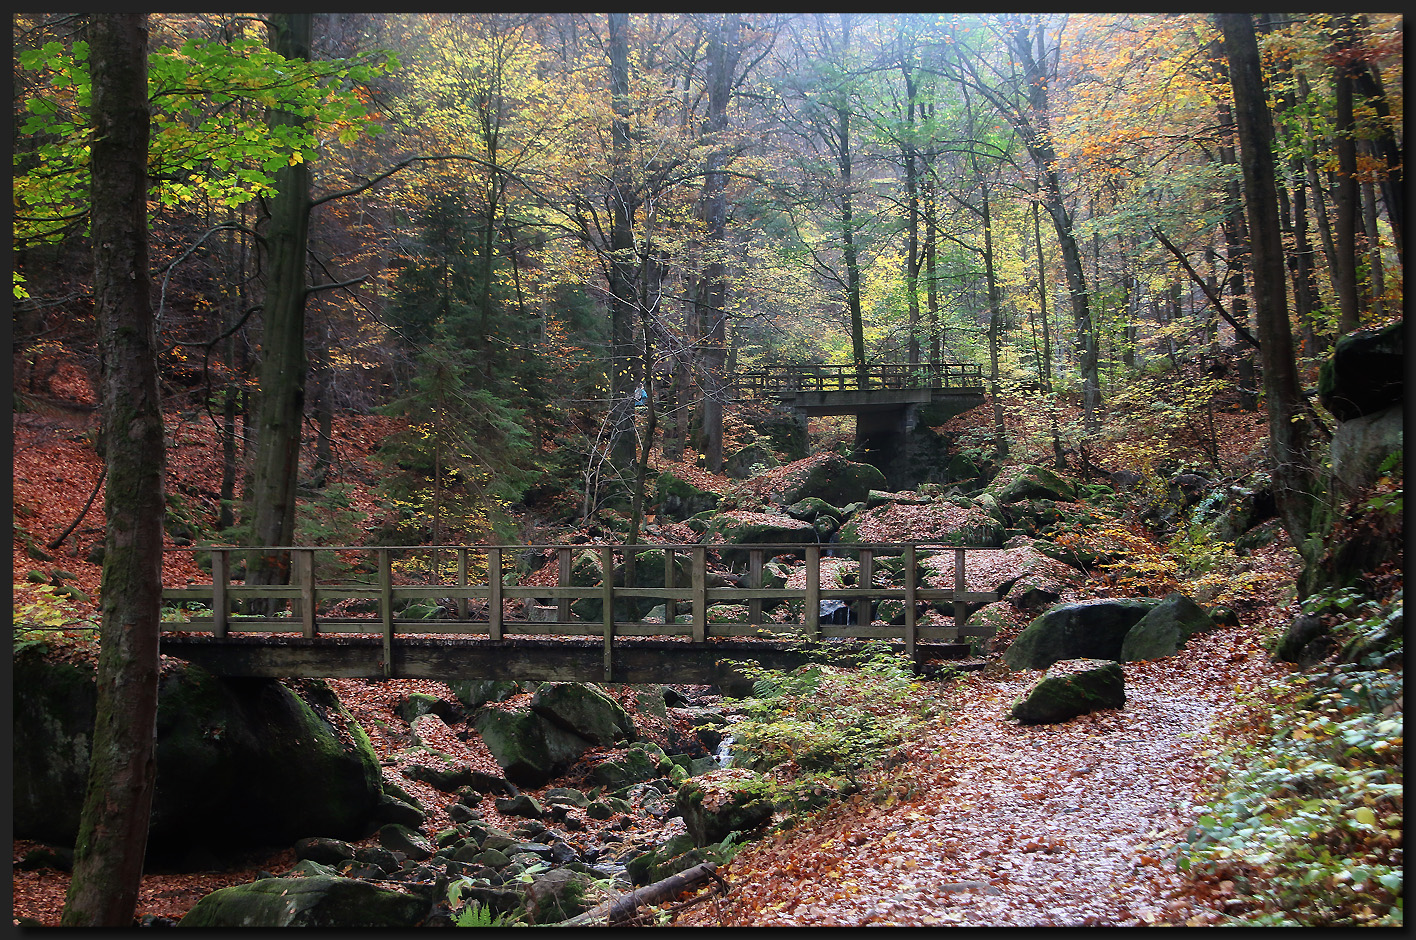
[113, 839]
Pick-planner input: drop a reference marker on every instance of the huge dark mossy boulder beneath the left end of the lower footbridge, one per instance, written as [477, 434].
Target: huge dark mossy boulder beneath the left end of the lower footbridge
[241, 762]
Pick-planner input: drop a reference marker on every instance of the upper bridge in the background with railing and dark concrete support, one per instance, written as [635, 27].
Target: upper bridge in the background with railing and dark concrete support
[886, 399]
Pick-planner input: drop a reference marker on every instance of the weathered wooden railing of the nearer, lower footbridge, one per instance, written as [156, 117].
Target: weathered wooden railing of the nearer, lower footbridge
[775, 591]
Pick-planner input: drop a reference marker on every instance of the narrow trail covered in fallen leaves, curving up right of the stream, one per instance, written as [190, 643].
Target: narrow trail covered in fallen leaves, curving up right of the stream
[1003, 825]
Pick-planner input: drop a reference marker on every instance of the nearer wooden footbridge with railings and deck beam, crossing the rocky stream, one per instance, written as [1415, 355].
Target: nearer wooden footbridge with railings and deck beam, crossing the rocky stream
[662, 617]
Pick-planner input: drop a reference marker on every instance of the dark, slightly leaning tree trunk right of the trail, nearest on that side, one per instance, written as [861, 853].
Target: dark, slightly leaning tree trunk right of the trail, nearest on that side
[1291, 430]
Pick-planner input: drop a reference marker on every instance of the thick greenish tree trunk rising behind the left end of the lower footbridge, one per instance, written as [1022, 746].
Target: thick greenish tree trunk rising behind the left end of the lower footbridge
[281, 408]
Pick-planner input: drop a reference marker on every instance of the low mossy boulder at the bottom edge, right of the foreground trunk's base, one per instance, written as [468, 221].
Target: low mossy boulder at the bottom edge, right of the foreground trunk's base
[315, 901]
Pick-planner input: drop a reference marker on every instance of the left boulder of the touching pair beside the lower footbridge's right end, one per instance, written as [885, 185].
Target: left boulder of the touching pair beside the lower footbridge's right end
[1081, 631]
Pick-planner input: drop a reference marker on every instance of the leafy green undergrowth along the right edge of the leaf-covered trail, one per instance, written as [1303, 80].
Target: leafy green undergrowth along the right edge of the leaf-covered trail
[1308, 823]
